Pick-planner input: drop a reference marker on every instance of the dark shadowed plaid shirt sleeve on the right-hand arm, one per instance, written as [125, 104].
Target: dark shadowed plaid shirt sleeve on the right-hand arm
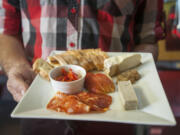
[148, 22]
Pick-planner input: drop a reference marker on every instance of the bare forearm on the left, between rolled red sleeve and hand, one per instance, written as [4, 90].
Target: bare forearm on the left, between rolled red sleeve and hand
[12, 53]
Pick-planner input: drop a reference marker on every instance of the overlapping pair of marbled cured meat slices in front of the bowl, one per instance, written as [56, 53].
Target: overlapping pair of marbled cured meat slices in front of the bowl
[83, 102]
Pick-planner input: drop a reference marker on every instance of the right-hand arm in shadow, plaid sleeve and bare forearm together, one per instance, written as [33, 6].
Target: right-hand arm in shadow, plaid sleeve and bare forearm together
[148, 28]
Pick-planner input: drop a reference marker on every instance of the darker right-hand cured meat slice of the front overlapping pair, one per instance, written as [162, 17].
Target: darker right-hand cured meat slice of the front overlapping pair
[97, 102]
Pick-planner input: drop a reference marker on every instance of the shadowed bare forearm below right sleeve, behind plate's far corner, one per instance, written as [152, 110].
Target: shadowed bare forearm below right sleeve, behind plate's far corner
[151, 48]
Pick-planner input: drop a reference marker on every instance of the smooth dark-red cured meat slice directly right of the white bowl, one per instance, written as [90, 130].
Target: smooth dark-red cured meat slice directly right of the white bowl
[99, 83]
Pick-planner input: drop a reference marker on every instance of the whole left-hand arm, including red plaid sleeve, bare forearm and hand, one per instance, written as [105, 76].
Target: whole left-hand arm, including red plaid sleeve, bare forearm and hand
[12, 55]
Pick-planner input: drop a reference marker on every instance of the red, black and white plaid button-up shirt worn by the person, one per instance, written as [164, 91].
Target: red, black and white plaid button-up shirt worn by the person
[112, 25]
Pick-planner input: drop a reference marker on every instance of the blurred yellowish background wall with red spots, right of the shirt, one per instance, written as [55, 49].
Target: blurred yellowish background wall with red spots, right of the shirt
[169, 48]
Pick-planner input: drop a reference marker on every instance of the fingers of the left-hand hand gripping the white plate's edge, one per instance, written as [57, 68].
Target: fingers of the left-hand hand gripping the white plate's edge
[17, 87]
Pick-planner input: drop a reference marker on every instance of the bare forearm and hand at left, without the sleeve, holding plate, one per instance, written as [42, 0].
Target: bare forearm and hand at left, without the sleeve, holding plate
[15, 65]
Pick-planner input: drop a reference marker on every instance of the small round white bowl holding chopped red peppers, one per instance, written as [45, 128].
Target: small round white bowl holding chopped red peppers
[71, 87]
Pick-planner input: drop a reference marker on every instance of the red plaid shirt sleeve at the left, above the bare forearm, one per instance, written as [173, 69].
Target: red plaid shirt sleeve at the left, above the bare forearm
[10, 22]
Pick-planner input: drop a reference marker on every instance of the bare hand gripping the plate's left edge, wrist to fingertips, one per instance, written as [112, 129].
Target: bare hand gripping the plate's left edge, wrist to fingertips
[19, 79]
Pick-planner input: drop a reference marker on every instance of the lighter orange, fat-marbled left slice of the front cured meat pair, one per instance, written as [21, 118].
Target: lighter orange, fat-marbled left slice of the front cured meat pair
[67, 103]
